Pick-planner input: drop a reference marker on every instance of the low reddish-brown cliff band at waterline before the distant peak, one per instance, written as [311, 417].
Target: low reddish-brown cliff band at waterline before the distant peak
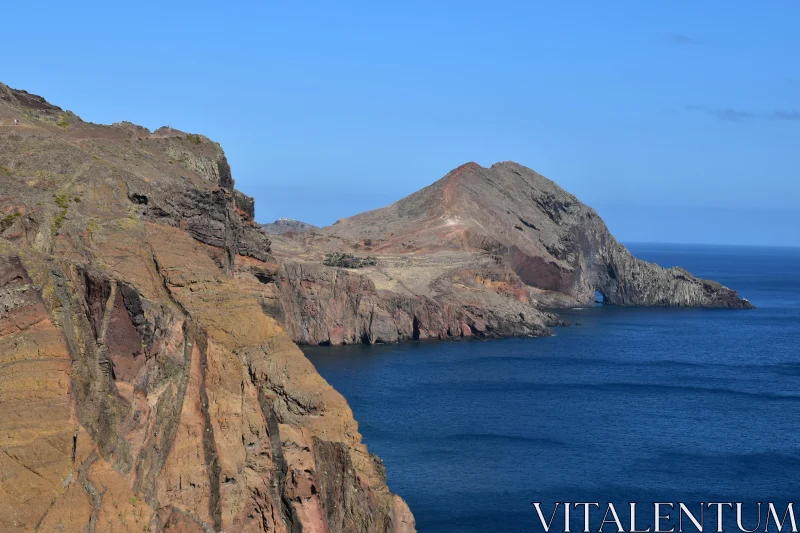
[325, 305]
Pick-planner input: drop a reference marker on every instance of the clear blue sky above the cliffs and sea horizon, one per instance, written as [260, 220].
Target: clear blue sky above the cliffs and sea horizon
[677, 121]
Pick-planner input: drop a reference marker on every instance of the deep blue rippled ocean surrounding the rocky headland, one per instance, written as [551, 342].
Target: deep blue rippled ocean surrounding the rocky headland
[633, 404]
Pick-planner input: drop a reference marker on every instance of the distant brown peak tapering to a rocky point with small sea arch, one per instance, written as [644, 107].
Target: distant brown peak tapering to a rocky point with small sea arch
[549, 238]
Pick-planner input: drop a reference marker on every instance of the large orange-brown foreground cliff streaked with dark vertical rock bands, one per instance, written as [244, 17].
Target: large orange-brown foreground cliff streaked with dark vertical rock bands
[142, 384]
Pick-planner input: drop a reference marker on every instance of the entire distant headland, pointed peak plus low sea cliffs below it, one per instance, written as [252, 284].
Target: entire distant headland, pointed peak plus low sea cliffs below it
[482, 251]
